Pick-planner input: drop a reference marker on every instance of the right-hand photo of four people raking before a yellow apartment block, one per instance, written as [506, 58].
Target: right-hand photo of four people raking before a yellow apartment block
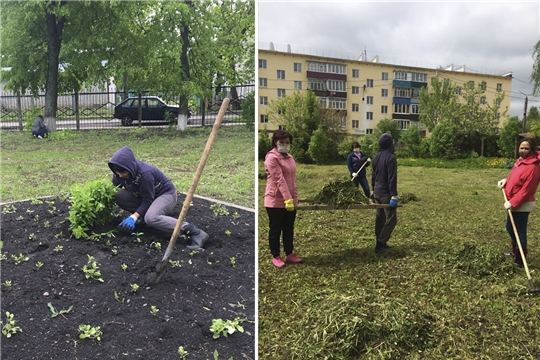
[398, 164]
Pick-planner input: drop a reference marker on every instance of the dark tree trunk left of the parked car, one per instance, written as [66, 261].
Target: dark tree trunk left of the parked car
[54, 41]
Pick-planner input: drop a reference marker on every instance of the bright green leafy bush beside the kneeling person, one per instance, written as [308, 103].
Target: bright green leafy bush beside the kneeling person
[91, 204]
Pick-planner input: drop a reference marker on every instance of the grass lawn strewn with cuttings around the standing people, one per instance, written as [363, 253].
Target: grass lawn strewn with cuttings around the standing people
[447, 292]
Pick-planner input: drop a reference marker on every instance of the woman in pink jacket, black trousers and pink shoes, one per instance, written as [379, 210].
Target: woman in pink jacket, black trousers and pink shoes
[281, 197]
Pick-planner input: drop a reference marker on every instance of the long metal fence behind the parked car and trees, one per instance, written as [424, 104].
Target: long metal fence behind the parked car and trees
[95, 109]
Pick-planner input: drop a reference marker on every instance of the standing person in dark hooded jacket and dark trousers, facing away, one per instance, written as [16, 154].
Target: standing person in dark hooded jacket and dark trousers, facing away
[384, 184]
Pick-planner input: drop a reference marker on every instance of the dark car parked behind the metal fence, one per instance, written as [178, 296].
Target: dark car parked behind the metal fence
[153, 109]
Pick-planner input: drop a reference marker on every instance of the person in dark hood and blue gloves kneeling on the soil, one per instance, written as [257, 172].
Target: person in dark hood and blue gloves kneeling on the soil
[148, 194]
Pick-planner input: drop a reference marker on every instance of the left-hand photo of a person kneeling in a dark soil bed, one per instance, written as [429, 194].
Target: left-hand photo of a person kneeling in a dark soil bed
[127, 156]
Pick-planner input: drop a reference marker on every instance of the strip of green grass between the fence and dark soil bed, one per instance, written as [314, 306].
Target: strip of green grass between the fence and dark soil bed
[32, 168]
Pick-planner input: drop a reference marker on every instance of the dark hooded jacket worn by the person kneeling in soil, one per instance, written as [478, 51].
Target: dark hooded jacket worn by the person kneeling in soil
[146, 181]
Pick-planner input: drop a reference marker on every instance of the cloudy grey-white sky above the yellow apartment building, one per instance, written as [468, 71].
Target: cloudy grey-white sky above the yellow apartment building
[486, 37]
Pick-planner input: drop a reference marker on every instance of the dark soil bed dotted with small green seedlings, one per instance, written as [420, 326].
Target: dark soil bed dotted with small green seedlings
[218, 283]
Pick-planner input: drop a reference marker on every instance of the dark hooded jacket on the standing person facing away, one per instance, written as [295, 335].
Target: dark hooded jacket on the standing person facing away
[384, 168]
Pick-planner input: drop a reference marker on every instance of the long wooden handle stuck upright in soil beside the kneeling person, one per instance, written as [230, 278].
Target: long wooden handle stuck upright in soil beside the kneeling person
[196, 178]
